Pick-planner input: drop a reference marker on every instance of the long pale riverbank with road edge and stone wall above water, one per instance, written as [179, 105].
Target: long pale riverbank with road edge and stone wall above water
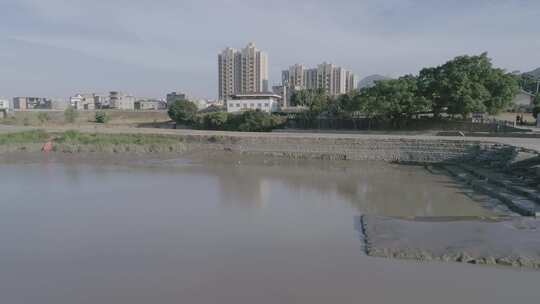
[395, 148]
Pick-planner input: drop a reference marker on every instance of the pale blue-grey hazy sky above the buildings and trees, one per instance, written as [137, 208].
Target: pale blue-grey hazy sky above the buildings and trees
[56, 48]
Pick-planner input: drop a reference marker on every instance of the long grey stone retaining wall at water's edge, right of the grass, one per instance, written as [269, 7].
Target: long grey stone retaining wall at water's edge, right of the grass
[382, 149]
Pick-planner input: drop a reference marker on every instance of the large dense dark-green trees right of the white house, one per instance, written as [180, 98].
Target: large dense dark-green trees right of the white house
[463, 85]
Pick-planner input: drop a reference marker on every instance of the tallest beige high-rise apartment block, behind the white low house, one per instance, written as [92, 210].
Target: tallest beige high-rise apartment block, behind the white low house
[242, 71]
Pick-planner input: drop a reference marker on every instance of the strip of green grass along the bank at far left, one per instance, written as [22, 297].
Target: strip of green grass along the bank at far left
[78, 138]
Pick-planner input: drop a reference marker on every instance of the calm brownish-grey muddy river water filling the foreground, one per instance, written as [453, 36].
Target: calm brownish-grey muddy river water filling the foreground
[229, 231]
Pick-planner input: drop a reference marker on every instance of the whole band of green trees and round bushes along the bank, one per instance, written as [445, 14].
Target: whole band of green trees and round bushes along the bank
[461, 86]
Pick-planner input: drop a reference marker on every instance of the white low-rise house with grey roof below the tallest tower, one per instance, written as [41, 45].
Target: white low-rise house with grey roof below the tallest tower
[266, 102]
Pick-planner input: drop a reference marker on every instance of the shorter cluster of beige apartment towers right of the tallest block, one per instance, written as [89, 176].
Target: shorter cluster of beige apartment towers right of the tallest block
[334, 80]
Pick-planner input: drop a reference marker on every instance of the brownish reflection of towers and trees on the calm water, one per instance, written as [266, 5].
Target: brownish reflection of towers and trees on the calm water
[379, 188]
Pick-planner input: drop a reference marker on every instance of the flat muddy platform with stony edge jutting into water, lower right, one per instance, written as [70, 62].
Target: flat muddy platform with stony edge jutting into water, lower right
[506, 241]
